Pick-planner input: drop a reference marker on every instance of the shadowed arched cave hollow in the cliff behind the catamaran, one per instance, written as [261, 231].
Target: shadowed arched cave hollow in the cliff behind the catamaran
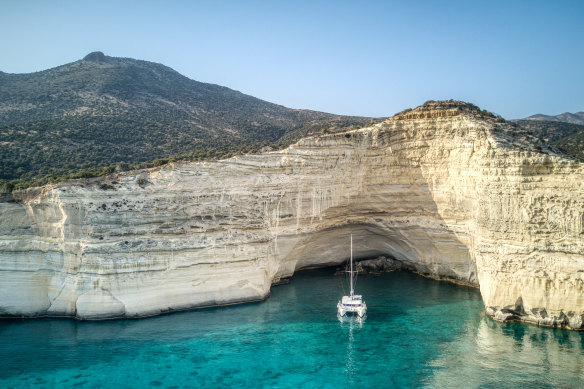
[410, 248]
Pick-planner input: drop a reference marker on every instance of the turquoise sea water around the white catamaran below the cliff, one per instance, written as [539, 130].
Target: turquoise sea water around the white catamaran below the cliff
[418, 333]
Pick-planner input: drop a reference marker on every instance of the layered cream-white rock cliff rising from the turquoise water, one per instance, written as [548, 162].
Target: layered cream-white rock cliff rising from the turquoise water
[445, 189]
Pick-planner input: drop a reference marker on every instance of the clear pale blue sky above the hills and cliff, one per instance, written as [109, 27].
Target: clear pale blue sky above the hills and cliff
[373, 58]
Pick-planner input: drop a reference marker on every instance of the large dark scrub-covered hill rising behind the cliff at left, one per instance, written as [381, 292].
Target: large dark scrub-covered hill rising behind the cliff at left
[91, 116]
